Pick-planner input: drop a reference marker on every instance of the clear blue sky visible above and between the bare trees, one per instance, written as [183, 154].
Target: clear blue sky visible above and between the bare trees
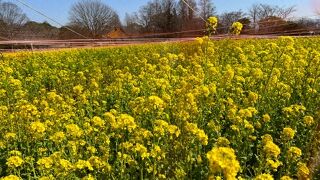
[58, 9]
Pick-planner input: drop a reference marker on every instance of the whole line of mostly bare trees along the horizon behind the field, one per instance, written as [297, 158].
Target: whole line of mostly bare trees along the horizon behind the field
[157, 18]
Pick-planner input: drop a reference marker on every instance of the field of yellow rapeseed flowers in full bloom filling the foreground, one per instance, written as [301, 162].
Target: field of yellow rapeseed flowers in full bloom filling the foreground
[228, 109]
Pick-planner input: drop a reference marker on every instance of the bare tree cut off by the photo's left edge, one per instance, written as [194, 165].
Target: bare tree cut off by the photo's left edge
[12, 19]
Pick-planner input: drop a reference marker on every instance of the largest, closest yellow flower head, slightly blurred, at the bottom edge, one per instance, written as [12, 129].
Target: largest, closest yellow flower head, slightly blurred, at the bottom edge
[223, 159]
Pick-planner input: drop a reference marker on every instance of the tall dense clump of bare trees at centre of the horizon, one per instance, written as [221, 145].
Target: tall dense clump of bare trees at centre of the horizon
[162, 16]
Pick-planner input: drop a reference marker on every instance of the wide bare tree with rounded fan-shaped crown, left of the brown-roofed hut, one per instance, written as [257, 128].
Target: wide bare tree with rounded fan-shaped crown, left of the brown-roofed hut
[93, 16]
